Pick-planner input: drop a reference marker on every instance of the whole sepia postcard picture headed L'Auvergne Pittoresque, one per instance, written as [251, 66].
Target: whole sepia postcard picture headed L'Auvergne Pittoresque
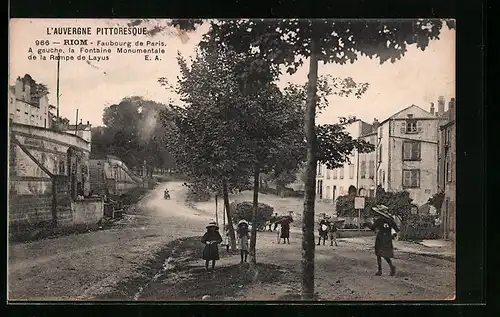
[231, 160]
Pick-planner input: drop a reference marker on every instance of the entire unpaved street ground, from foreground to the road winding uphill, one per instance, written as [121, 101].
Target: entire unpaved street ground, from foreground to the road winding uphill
[154, 254]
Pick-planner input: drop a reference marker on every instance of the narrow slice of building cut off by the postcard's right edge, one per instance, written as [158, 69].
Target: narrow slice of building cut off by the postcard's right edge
[447, 172]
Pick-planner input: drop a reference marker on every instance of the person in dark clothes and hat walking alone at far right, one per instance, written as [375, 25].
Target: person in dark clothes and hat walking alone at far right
[383, 225]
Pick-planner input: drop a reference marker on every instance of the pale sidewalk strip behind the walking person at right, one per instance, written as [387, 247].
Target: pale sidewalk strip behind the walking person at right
[434, 248]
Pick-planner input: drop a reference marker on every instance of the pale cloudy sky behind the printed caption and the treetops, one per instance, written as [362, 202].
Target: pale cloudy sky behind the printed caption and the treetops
[418, 78]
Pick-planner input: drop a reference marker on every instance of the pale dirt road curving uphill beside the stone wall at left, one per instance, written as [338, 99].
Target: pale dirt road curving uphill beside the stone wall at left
[84, 266]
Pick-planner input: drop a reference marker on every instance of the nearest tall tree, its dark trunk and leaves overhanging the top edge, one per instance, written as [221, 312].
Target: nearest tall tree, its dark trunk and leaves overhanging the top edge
[288, 41]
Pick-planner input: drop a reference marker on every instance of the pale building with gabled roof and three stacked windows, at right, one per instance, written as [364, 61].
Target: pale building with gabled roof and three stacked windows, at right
[407, 153]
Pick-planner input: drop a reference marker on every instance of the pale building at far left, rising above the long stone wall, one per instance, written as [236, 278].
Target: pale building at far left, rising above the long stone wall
[24, 110]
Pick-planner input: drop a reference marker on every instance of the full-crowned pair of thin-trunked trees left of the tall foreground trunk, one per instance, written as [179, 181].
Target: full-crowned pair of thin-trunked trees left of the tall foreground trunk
[237, 125]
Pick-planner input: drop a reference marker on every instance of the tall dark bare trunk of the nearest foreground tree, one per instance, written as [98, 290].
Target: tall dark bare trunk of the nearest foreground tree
[310, 182]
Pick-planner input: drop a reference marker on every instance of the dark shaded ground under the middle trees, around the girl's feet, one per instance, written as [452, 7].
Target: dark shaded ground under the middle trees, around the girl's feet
[177, 273]
